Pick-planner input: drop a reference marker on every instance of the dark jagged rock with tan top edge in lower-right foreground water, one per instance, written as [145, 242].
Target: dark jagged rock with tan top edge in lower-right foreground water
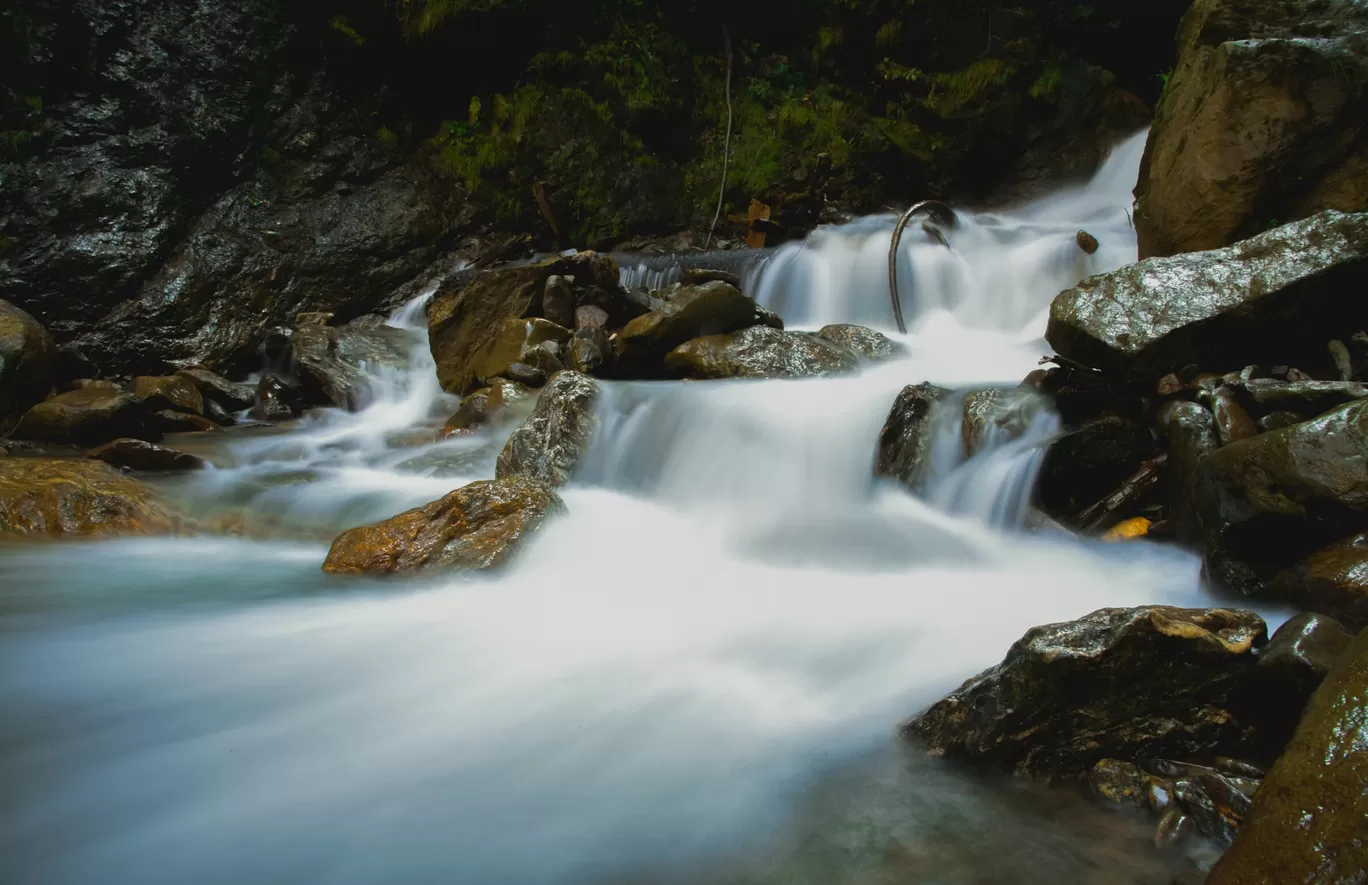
[1124, 683]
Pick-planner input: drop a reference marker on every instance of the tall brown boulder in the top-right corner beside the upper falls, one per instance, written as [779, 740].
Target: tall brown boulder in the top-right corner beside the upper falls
[1265, 120]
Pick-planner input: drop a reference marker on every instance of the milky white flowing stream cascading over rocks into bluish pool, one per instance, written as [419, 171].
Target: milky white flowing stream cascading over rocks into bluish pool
[693, 678]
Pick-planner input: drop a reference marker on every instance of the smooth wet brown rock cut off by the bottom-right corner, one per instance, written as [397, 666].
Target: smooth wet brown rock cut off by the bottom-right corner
[1307, 823]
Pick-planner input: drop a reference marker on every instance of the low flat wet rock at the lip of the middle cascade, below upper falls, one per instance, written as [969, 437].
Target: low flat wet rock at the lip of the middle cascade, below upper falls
[760, 352]
